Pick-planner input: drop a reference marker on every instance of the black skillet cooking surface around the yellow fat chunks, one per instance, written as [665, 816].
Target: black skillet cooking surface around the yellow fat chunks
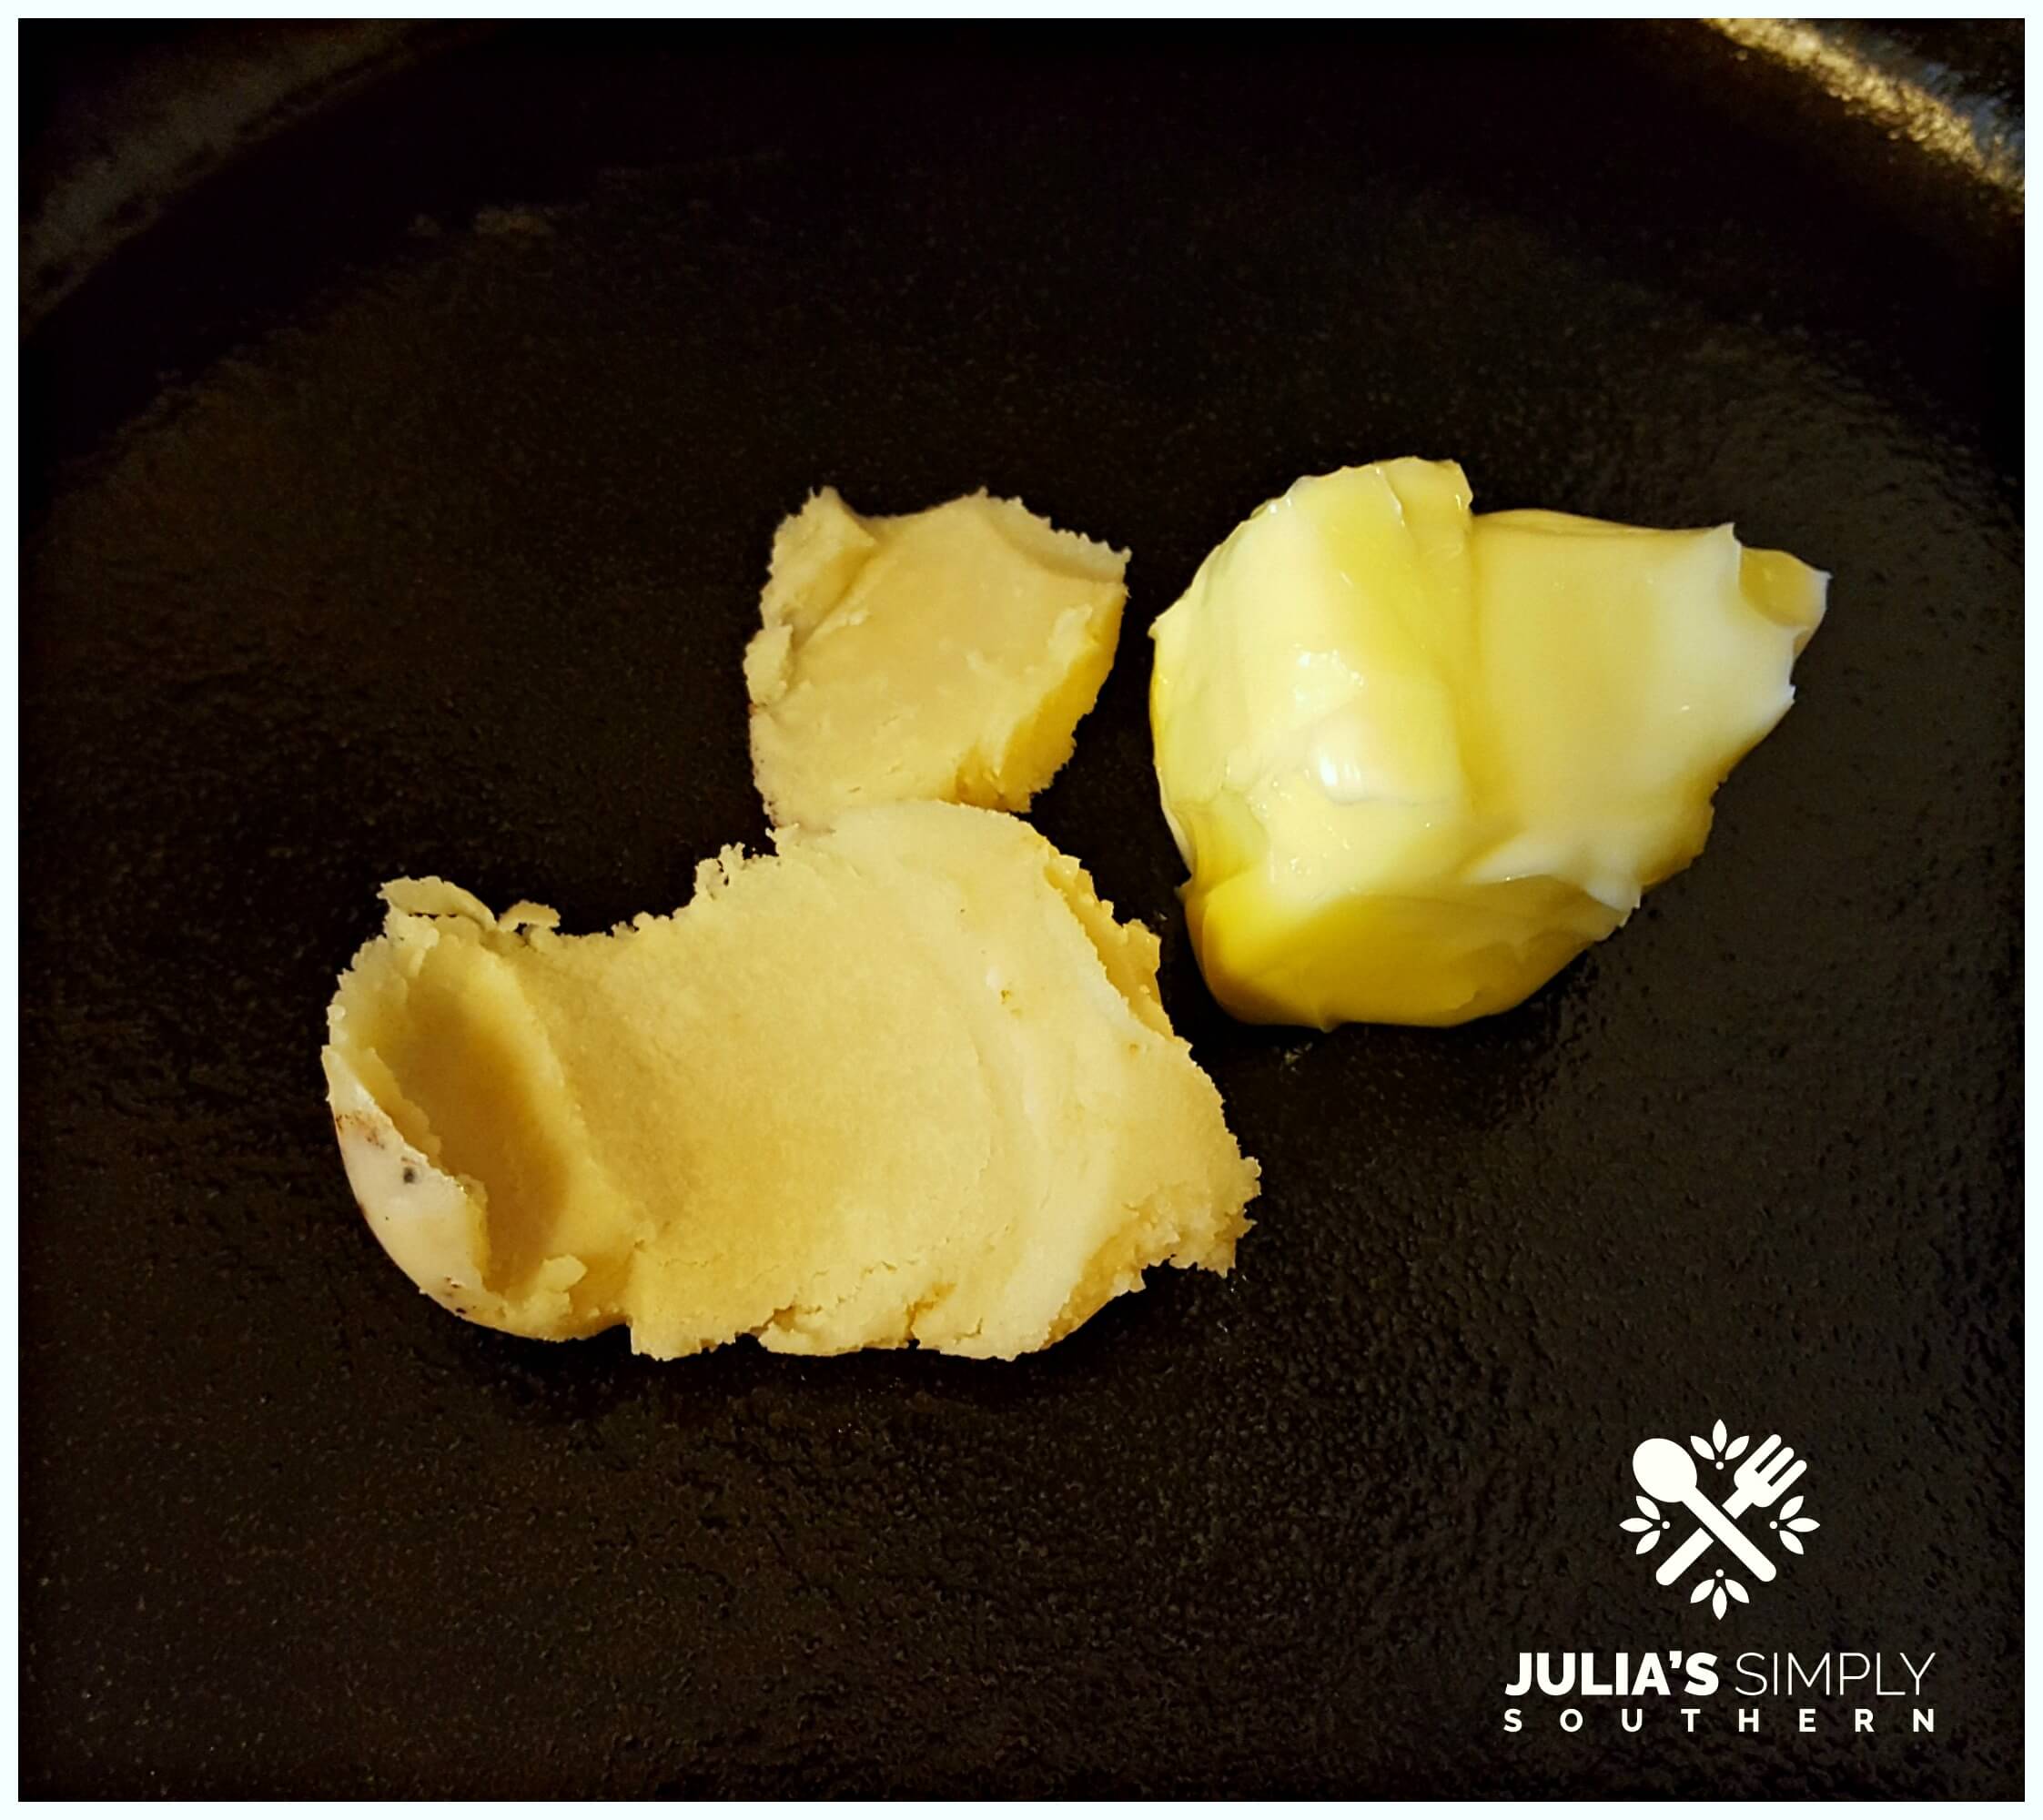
[399, 504]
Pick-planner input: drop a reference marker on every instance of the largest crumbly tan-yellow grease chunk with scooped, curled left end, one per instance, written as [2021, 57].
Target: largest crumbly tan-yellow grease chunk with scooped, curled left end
[900, 1082]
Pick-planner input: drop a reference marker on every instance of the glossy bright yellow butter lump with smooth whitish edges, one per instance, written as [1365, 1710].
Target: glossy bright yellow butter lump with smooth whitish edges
[1417, 759]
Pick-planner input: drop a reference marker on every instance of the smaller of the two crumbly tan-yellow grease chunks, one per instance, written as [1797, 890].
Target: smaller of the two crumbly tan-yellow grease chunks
[939, 657]
